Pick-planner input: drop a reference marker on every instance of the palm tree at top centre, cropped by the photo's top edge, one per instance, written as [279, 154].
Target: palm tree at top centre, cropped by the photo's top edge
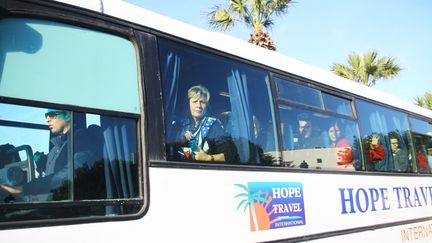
[256, 14]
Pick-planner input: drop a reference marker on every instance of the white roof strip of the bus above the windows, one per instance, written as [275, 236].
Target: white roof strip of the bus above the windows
[240, 48]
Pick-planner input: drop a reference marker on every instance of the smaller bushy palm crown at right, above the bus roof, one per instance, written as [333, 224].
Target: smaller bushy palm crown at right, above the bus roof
[367, 68]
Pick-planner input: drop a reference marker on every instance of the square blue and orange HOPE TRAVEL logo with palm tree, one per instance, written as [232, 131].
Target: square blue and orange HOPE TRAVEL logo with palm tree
[272, 205]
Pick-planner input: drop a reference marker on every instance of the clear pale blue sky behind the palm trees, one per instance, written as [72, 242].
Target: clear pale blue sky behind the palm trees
[322, 33]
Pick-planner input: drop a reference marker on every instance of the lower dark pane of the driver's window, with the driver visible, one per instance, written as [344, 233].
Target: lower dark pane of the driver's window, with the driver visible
[73, 156]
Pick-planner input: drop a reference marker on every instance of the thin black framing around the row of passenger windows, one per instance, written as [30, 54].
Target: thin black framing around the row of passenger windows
[161, 161]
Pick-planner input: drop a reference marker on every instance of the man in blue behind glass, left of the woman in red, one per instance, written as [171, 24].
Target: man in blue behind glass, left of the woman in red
[309, 136]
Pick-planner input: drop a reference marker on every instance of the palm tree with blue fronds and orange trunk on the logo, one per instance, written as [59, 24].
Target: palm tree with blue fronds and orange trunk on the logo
[249, 202]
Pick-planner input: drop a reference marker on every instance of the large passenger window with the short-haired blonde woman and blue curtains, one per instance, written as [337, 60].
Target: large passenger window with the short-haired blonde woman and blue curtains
[233, 124]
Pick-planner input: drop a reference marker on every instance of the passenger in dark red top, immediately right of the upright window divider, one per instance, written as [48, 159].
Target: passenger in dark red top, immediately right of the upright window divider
[376, 154]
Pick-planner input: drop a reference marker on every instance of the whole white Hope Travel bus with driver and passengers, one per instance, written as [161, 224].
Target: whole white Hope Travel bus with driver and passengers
[118, 124]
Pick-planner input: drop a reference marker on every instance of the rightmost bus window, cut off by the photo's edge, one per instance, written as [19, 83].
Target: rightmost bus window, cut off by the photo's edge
[422, 138]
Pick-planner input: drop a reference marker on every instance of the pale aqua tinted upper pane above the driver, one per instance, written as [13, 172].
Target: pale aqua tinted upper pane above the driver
[60, 58]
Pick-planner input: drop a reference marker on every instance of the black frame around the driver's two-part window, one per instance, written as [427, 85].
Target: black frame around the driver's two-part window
[61, 13]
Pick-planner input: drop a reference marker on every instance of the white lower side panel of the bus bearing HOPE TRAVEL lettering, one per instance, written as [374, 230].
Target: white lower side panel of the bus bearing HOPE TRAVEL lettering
[206, 206]
